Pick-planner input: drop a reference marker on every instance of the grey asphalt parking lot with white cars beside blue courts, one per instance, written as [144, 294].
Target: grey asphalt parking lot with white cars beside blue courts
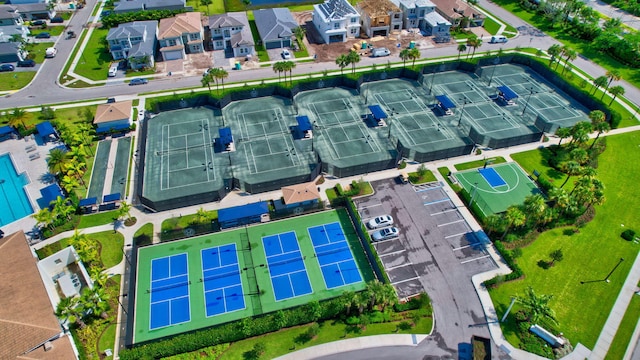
[436, 252]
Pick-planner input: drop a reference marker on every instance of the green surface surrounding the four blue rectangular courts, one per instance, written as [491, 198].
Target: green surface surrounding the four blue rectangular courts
[257, 288]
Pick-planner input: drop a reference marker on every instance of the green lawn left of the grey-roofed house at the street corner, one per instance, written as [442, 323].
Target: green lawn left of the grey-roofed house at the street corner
[95, 60]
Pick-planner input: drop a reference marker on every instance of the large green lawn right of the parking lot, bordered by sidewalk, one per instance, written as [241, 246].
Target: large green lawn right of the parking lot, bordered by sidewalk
[590, 254]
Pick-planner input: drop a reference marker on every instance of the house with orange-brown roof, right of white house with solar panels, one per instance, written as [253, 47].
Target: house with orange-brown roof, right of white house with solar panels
[379, 17]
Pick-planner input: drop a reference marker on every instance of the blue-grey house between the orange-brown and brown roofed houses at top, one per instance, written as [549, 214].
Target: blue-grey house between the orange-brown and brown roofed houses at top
[422, 15]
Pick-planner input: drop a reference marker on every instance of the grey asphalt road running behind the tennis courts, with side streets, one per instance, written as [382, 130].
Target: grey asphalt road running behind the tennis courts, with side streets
[45, 89]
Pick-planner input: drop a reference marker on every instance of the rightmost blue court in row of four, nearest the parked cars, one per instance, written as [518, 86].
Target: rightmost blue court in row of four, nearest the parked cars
[334, 255]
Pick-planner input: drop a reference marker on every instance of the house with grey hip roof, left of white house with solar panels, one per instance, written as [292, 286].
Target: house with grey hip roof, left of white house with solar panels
[275, 26]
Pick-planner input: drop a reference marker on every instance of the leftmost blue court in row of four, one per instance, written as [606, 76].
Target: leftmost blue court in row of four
[169, 291]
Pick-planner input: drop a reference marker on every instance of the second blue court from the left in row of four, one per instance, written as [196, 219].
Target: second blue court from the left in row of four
[221, 277]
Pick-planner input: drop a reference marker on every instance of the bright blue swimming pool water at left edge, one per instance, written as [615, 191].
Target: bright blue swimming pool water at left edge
[14, 203]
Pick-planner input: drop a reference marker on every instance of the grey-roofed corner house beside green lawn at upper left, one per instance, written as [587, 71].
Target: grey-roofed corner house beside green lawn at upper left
[135, 42]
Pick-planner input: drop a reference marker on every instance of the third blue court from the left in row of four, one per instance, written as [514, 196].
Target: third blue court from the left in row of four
[286, 266]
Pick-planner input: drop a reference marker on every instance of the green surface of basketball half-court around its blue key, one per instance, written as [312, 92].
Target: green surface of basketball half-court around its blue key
[493, 200]
